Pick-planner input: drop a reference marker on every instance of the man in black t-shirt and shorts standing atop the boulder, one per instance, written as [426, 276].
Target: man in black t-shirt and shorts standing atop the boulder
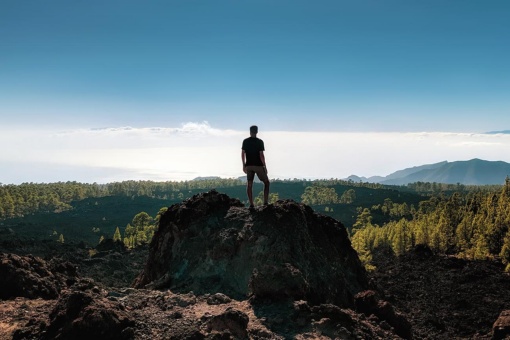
[254, 162]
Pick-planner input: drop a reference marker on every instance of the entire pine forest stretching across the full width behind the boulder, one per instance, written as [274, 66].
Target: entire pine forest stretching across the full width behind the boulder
[450, 218]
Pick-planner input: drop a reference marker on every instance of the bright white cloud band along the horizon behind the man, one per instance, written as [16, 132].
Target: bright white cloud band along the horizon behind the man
[197, 149]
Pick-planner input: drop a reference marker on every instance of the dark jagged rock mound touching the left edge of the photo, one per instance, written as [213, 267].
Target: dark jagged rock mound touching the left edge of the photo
[32, 277]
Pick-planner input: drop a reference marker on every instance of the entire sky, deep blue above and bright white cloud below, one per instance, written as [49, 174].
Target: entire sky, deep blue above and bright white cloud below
[101, 91]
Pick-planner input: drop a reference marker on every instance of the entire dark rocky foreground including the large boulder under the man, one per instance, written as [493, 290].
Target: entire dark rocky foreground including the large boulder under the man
[217, 270]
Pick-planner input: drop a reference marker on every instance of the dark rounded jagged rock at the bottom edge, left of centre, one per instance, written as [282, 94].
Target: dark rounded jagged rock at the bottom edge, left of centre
[81, 315]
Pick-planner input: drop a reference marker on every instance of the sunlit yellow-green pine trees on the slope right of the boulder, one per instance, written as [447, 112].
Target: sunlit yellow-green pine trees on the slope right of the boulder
[474, 224]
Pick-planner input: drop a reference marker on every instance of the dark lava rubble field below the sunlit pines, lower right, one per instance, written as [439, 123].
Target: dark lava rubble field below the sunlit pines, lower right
[444, 297]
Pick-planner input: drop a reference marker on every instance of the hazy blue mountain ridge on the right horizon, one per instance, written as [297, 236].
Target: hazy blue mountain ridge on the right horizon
[472, 172]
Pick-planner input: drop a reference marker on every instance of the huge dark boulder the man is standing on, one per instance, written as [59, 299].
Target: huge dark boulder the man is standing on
[211, 243]
